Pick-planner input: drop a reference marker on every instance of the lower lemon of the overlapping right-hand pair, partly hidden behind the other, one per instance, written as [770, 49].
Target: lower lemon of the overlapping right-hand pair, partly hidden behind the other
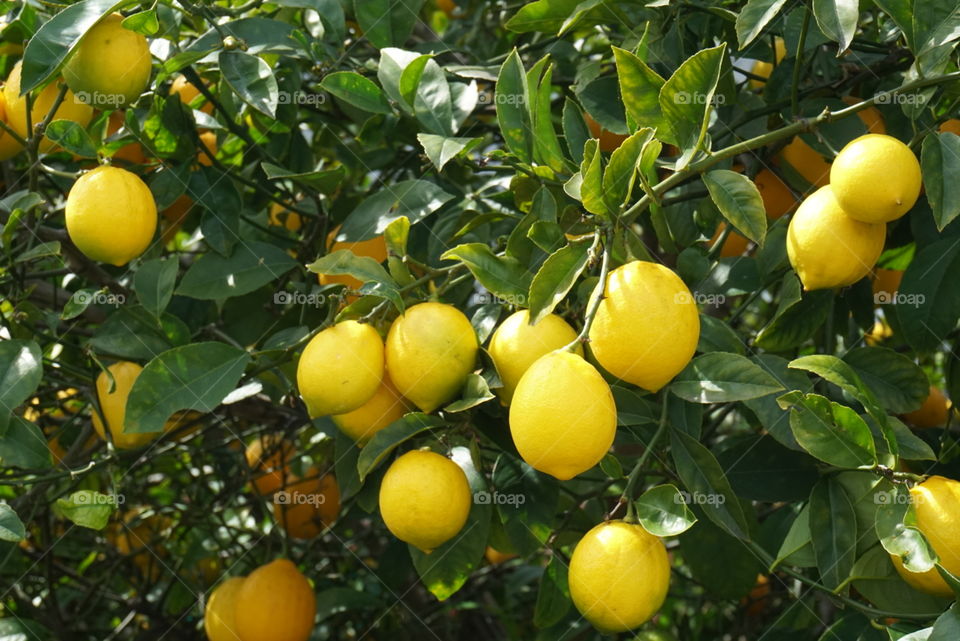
[827, 247]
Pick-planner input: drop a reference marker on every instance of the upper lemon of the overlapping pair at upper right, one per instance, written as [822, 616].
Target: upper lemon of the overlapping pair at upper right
[876, 178]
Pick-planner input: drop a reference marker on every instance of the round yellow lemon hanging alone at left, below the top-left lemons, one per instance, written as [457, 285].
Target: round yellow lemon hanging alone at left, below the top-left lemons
[111, 215]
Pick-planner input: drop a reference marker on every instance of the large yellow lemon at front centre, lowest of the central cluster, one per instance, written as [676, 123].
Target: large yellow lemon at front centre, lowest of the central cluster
[563, 418]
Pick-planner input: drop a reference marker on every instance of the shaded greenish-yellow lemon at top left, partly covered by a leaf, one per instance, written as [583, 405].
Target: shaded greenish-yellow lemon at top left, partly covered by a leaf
[110, 67]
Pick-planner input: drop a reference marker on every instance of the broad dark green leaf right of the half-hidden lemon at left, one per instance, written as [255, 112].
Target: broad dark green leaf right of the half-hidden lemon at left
[197, 376]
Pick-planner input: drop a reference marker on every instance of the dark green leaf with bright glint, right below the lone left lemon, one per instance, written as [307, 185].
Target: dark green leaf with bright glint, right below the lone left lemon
[251, 266]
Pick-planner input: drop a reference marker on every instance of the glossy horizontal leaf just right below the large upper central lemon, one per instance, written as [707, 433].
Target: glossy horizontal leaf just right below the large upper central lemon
[720, 377]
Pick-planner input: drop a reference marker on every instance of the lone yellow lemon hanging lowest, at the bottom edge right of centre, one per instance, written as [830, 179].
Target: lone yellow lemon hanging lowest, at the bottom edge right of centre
[619, 575]
